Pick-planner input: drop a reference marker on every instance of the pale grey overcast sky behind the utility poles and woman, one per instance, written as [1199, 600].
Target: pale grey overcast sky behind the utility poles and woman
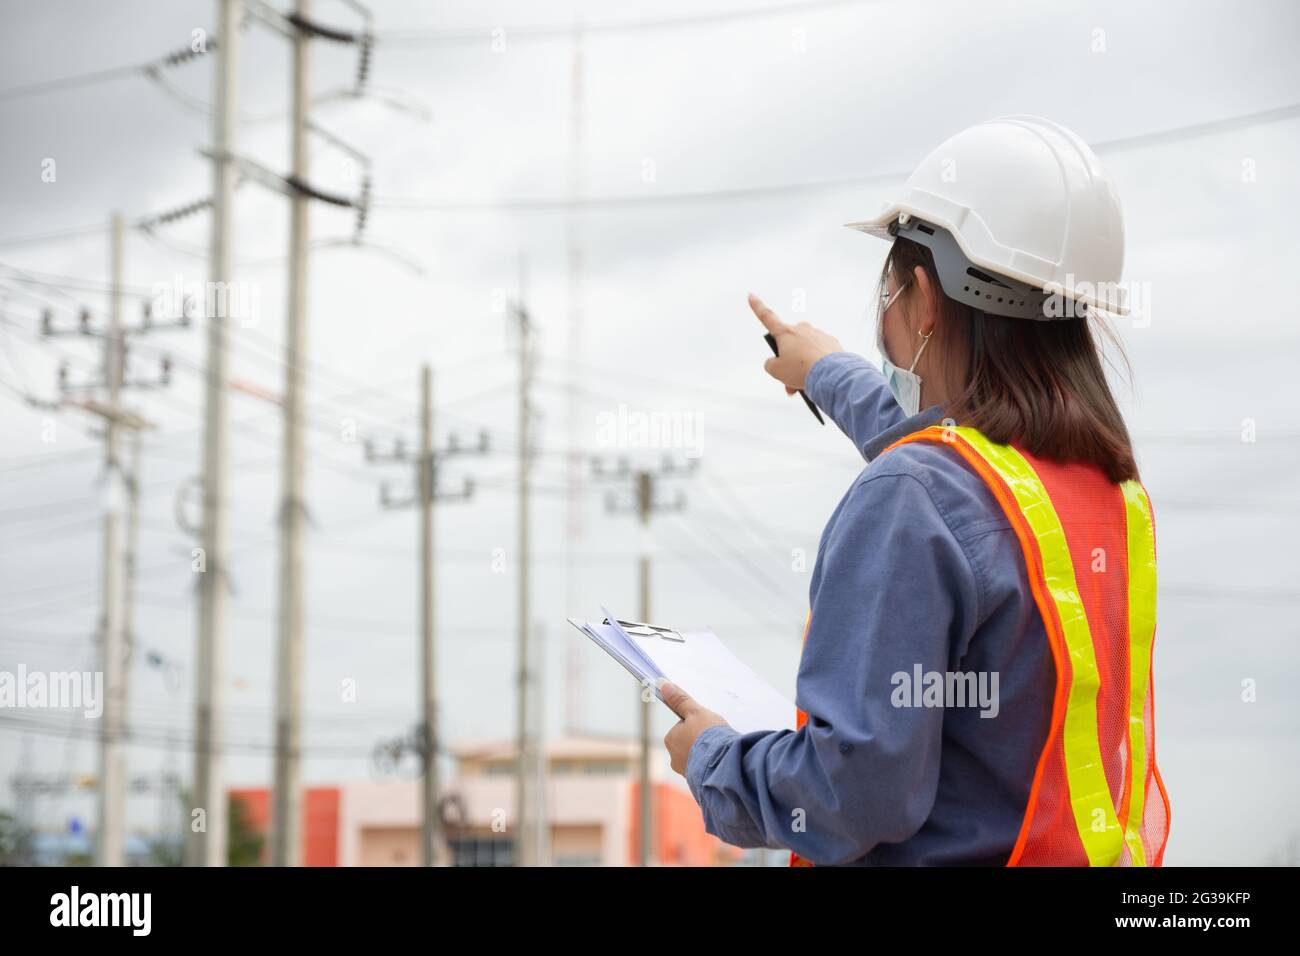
[683, 135]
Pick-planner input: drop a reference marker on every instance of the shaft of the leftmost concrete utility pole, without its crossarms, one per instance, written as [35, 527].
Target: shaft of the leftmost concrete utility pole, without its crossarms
[112, 776]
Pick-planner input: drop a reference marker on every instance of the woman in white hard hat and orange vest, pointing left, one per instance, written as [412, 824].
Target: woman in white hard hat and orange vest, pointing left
[976, 685]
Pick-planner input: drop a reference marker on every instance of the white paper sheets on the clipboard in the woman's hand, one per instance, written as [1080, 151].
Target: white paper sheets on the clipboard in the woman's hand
[697, 663]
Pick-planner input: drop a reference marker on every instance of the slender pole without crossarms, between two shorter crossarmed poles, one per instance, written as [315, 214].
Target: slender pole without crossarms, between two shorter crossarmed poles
[525, 845]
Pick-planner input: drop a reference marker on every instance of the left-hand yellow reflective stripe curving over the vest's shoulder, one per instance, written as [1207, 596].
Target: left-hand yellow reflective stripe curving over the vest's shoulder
[1090, 794]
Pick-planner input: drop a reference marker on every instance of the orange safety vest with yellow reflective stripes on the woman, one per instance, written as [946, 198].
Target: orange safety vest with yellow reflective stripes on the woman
[1090, 548]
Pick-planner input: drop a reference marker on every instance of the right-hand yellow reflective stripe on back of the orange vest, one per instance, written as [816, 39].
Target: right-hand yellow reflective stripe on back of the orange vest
[1142, 633]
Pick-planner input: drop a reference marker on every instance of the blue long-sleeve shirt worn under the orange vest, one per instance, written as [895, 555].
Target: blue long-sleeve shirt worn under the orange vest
[918, 572]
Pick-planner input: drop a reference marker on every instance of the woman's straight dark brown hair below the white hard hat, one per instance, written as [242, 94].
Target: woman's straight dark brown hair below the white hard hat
[1038, 384]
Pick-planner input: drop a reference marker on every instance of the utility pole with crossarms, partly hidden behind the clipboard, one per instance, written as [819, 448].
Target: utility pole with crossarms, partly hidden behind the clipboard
[645, 505]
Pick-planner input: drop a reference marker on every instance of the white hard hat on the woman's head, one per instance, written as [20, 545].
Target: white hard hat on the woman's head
[1021, 198]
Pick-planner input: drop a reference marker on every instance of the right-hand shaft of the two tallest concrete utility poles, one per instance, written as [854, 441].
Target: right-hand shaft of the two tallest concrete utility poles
[287, 815]
